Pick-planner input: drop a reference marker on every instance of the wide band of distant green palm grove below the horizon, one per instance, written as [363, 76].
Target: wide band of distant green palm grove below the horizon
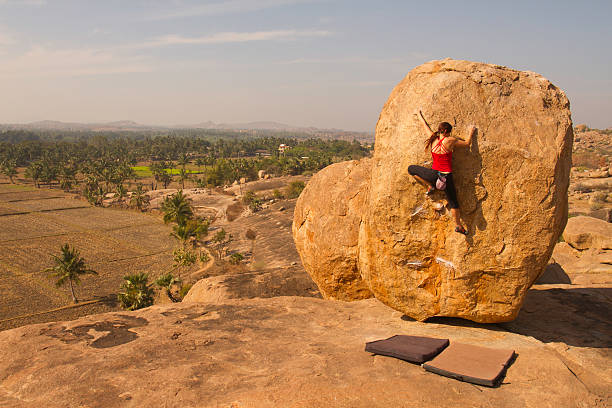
[101, 162]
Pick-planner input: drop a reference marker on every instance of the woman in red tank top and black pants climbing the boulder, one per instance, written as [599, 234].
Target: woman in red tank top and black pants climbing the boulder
[440, 176]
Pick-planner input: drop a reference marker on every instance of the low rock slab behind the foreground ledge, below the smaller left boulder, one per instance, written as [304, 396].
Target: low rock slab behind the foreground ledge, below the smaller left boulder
[248, 285]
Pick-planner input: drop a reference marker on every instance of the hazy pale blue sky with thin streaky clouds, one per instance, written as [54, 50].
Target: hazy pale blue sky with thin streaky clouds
[321, 63]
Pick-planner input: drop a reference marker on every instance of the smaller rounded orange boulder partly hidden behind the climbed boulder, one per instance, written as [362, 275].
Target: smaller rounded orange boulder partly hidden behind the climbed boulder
[326, 228]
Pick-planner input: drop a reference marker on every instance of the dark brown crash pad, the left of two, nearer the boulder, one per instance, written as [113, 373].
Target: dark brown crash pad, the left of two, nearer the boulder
[410, 348]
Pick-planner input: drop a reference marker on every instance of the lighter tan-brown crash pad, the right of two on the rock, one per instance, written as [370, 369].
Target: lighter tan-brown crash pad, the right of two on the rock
[474, 364]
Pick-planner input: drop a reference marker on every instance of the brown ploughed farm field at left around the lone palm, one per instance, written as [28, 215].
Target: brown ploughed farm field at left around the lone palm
[37, 222]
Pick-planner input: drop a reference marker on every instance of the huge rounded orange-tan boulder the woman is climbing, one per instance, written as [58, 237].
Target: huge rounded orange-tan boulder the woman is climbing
[512, 189]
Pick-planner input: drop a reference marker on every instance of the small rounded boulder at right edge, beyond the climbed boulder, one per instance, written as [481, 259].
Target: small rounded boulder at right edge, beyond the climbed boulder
[588, 233]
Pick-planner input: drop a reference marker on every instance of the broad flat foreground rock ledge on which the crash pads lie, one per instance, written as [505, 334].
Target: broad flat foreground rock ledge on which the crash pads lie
[293, 351]
